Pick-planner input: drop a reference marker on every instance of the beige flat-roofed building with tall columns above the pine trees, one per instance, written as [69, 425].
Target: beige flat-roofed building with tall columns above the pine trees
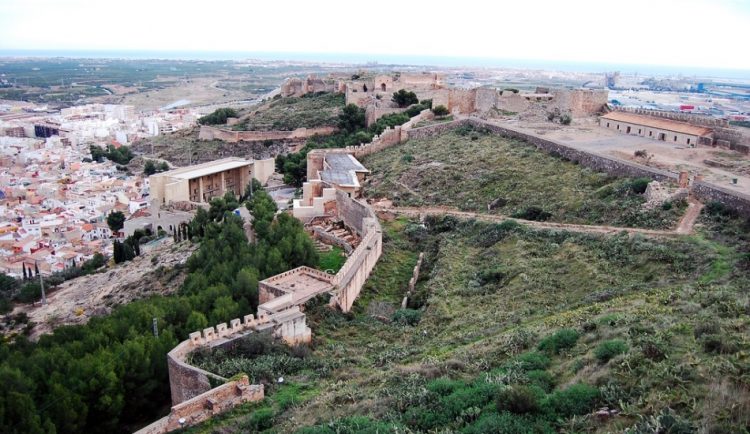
[202, 182]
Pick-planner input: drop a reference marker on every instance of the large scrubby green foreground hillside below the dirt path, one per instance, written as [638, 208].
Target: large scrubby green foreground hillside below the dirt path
[514, 329]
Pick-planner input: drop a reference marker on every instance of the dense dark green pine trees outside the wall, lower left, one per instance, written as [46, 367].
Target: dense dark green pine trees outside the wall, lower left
[110, 374]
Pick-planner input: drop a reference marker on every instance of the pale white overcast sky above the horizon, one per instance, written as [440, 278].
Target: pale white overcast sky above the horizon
[698, 33]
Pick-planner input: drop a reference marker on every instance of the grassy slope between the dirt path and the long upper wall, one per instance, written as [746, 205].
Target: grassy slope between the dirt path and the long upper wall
[474, 171]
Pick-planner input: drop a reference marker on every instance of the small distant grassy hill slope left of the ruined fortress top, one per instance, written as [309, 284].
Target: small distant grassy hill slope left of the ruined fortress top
[310, 111]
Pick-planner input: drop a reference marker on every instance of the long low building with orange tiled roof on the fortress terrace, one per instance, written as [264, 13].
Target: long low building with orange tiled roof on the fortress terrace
[666, 130]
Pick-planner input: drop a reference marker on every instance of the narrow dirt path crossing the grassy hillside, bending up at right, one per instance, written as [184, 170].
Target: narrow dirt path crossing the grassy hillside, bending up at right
[685, 227]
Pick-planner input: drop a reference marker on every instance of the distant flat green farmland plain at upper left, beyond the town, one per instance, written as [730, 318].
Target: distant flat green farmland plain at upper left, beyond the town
[144, 83]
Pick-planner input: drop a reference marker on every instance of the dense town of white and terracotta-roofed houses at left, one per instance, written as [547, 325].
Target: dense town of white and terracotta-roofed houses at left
[55, 195]
